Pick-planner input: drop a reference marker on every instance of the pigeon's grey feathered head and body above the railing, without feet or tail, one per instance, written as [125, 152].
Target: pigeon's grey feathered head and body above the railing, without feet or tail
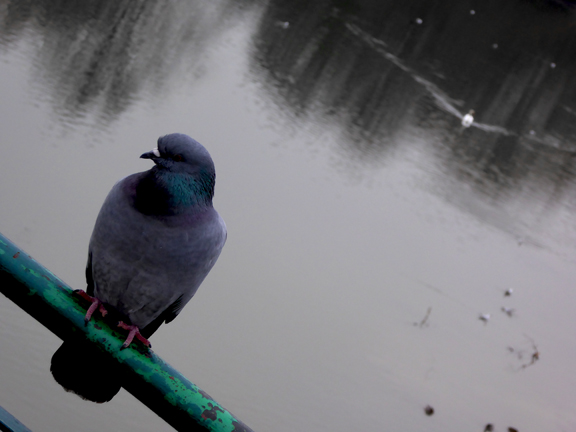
[157, 235]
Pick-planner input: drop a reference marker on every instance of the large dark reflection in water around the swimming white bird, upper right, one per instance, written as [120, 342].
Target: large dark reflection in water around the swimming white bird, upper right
[387, 71]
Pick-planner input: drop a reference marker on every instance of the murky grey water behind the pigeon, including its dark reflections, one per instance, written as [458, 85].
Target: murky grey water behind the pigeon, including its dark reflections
[368, 229]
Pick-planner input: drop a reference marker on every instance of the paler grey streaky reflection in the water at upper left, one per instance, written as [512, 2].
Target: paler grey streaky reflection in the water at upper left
[100, 56]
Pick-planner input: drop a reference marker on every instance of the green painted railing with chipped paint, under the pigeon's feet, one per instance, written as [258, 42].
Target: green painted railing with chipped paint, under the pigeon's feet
[151, 380]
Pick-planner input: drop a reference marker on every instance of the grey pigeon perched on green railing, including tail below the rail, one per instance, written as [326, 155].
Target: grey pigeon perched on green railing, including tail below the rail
[155, 239]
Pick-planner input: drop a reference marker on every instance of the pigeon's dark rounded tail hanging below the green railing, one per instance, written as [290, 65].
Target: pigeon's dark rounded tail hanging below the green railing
[82, 369]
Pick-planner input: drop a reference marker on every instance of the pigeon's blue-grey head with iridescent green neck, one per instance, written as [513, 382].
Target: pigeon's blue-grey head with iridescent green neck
[184, 171]
